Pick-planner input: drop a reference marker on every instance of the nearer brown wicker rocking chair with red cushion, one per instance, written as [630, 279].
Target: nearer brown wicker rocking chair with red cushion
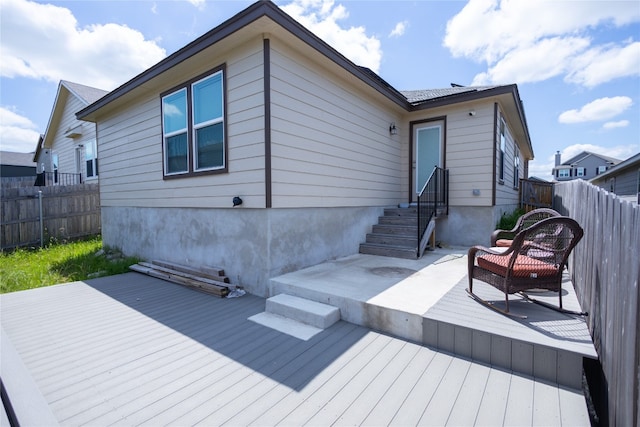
[535, 260]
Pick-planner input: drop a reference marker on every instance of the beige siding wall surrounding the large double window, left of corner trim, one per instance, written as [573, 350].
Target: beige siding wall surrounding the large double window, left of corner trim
[130, 144]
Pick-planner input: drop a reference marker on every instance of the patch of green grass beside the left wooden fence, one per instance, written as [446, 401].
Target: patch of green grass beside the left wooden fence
[59, 263]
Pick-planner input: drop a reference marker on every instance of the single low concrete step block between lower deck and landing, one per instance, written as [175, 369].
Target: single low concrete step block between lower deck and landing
[303, 310]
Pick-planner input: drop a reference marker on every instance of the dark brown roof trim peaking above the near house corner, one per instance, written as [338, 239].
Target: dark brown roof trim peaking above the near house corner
[239, 21]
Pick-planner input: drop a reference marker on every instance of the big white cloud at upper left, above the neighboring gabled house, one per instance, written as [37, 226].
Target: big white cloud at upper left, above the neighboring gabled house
[44, 41]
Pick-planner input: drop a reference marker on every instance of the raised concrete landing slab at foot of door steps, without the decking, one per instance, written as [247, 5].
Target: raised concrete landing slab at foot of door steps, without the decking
[383, 293]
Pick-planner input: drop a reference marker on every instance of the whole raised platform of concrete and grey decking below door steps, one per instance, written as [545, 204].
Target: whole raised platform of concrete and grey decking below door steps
[425, 301]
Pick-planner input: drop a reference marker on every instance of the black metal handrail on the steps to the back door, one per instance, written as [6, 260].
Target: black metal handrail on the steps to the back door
[433, 196]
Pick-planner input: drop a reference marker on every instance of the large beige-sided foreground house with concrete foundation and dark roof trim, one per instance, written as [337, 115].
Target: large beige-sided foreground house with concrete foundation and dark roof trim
[315, 146]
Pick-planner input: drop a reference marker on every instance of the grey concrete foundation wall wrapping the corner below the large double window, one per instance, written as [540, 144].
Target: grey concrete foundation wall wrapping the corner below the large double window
[252, 245]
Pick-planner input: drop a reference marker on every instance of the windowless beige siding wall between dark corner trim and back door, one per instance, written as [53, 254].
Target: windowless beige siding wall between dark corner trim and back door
[330, 146]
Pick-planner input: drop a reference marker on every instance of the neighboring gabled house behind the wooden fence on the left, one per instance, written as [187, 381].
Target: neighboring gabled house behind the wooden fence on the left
[67, 152]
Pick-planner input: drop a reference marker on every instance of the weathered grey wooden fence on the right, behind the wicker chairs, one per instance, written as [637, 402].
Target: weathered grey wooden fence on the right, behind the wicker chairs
[605, 271]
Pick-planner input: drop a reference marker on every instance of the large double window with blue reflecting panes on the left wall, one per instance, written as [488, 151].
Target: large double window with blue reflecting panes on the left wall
[193, 127]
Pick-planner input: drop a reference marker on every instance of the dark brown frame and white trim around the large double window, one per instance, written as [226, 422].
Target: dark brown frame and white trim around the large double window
[188, 87]
